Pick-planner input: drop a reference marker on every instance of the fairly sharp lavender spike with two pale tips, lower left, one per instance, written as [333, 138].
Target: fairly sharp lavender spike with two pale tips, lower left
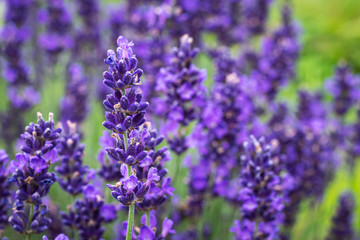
[32, 177]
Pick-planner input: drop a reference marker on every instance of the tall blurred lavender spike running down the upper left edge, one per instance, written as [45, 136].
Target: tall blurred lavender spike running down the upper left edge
[21, 95]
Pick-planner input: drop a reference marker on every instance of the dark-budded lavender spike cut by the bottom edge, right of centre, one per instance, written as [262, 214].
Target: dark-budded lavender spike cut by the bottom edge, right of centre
[261, 189]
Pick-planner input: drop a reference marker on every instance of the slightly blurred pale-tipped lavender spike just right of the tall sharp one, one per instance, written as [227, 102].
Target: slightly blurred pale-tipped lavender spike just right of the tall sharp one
[181, 85]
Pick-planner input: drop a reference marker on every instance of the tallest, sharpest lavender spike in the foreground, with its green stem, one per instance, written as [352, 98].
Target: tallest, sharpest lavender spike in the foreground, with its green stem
[142, 166]
